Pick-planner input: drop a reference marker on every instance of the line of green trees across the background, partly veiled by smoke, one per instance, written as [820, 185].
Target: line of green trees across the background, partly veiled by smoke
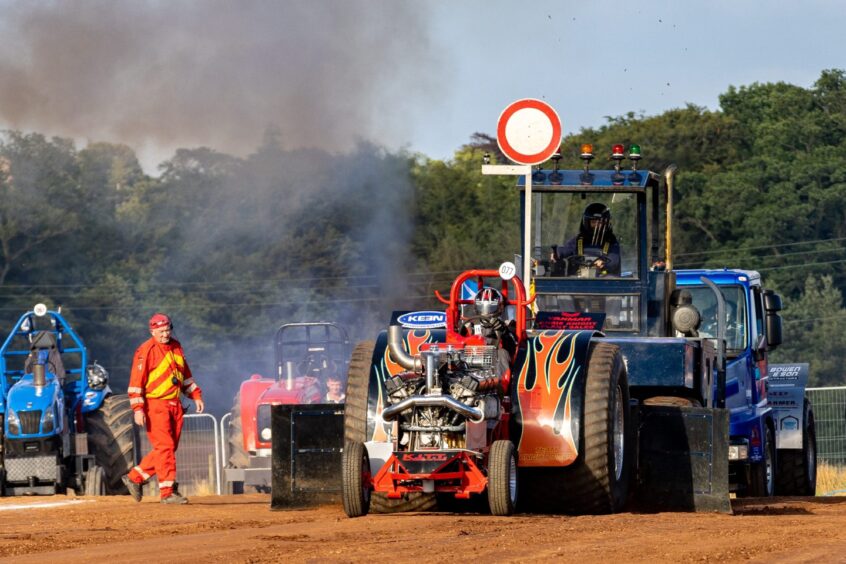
[232, 247]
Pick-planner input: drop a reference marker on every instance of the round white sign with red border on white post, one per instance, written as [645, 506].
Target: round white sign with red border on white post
[528, 131]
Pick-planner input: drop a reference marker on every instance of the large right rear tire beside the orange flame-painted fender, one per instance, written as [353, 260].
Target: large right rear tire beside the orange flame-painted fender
[597, 482]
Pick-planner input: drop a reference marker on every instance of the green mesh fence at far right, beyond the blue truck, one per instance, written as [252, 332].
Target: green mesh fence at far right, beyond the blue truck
[830, 419]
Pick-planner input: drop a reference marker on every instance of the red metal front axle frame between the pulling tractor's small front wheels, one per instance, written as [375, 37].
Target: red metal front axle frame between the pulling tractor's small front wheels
[393, 478]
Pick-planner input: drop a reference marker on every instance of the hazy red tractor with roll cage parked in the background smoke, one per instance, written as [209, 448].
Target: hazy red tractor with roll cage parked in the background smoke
[312, 360]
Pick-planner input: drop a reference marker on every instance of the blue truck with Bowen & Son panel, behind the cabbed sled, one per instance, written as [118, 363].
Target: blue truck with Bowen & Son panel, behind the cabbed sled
[772, 446]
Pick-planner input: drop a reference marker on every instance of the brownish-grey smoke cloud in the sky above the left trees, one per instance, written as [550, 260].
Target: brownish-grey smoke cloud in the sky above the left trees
[214, 73]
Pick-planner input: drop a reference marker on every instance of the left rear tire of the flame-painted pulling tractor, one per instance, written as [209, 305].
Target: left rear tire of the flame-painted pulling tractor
[355, 429]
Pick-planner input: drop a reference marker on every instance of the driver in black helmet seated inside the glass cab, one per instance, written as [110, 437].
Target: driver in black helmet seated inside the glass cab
[595, 245]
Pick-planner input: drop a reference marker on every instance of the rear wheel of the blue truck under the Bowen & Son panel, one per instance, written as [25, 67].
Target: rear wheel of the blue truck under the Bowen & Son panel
[797, 470]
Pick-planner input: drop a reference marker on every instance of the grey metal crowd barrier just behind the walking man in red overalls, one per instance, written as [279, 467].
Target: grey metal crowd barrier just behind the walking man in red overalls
[198, 458]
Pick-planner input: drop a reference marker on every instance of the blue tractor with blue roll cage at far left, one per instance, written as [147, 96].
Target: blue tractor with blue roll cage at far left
[62, 426]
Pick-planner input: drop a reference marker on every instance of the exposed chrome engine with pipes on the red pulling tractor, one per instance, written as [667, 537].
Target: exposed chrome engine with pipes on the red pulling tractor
[447, 399]
